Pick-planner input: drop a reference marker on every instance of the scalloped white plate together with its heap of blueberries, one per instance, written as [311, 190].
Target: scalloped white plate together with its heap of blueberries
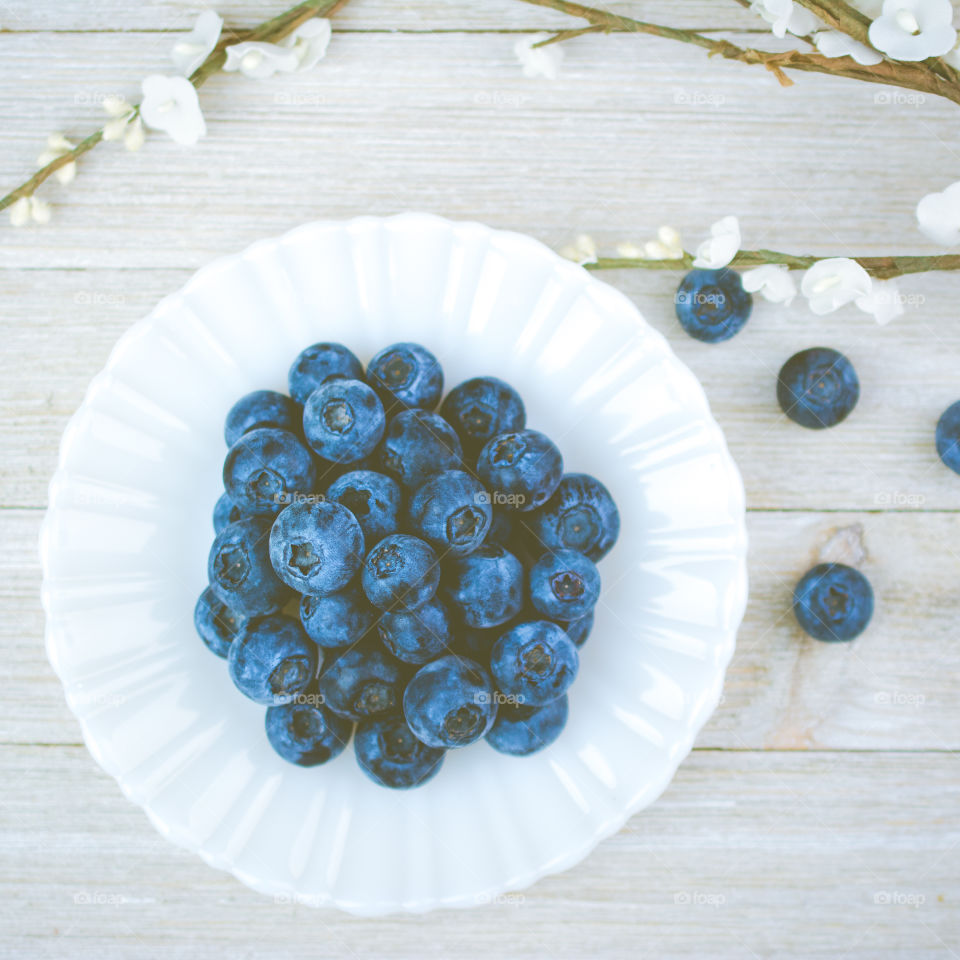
[392, 564]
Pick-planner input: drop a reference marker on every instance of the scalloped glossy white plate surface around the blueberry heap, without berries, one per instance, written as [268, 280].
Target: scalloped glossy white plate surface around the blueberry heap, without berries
[125, 541]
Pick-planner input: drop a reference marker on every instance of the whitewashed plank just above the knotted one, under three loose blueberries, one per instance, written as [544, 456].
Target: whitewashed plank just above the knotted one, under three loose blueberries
[59, 327]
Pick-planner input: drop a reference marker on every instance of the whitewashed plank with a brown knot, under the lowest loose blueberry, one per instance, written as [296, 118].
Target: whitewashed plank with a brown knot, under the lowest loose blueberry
[893, 689]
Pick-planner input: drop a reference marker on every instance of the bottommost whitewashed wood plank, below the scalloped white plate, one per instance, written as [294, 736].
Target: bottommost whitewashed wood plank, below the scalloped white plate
[746, 855]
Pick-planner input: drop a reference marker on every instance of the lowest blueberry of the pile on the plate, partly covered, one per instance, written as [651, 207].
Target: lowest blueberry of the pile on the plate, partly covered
[391, 756]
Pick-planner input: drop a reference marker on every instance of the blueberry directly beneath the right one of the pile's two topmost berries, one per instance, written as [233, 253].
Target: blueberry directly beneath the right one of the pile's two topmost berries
[416, 445]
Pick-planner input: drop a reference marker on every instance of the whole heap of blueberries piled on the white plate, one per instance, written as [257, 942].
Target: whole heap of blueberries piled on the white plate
[416, 579]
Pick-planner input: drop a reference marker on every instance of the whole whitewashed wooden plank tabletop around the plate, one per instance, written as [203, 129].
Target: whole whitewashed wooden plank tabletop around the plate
[819, 815]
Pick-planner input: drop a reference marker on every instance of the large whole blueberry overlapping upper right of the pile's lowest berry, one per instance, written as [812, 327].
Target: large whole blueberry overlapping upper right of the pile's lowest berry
[450, 702]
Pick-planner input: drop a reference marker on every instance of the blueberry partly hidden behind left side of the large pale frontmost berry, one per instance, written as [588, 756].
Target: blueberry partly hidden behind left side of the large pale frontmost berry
[240, 571]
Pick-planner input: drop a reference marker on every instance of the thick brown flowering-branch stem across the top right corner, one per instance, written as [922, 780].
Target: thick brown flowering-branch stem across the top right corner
[931, 75]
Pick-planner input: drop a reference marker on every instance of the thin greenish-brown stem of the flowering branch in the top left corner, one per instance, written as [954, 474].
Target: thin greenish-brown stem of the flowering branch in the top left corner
[270, 30]
